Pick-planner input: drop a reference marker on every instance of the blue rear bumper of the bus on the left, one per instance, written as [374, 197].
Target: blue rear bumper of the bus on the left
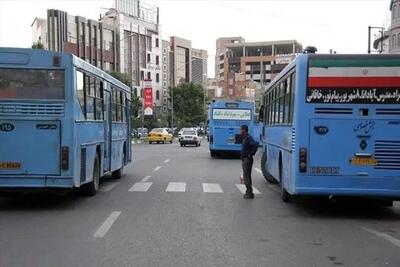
[36, 182]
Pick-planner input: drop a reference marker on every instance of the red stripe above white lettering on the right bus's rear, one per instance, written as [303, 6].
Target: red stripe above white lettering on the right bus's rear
[366, 82]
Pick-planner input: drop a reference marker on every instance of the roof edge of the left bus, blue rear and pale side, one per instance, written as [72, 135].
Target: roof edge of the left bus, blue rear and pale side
[22, 56]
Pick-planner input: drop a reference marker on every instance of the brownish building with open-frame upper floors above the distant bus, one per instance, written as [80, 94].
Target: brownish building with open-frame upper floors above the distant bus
[245, 63]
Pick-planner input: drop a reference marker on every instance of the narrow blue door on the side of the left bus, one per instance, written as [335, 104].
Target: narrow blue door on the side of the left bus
[107, 130]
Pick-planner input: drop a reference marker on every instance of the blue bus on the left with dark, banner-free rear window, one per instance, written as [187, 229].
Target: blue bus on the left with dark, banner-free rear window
[63, 122]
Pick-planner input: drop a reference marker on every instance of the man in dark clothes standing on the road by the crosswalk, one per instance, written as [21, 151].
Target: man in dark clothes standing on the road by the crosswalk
[249, 149]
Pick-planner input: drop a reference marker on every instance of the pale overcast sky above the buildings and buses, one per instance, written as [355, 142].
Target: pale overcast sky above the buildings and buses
[327, 24]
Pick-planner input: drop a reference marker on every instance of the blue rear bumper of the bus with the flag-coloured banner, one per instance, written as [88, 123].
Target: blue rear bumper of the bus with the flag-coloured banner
[349, 186]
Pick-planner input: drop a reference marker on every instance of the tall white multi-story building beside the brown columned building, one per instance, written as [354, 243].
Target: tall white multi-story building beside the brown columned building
[140, 43]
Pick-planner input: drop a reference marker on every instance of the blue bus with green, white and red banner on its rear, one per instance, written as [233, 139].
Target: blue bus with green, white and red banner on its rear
[331, 127]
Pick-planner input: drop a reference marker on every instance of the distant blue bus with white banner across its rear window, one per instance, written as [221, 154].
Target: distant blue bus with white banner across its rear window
[225, 118]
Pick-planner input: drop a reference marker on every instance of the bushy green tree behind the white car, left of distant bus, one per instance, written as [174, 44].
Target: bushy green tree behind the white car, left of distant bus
[188, 105]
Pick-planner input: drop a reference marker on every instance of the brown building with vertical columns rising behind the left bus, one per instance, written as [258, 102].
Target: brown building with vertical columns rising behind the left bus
[88, 39]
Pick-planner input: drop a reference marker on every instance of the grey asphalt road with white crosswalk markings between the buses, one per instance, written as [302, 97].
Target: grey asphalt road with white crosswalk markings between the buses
[178, 207]
